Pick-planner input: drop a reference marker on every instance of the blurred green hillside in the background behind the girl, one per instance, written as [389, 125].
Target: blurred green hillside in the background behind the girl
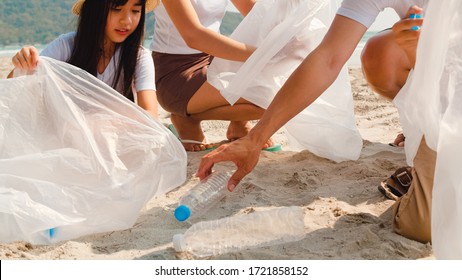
[40, 21]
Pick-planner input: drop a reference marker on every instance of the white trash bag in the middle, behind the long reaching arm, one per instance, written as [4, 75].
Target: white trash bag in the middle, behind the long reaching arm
[285, 33]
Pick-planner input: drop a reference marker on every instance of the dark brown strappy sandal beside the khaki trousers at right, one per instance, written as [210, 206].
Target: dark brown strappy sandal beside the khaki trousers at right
[397, 184]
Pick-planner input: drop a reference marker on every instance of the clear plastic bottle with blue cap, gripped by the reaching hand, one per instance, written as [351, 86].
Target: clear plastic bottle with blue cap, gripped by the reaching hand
[203, 196]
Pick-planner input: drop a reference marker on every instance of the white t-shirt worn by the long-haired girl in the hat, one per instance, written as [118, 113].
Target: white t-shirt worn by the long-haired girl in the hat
[61, 49]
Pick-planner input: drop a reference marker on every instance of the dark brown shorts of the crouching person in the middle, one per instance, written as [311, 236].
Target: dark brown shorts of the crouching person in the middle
[178, 77]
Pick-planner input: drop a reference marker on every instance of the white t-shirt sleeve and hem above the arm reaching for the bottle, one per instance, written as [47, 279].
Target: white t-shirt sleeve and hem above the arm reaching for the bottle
[366, 11]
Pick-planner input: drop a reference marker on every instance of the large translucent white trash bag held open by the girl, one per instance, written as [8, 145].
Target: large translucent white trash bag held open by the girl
[76, 157]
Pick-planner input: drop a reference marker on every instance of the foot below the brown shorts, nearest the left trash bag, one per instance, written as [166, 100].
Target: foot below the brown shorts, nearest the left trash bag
[189, 132]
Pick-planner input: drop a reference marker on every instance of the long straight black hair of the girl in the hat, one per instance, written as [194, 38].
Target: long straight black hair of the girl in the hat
[89, 42]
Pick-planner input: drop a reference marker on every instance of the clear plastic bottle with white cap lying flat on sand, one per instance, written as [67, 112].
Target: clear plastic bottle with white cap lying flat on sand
[231, 234]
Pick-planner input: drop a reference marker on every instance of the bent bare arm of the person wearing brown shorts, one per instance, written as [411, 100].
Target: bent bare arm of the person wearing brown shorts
[203, 39]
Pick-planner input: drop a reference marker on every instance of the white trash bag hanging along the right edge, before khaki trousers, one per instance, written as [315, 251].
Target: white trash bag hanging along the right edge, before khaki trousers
[431, 105]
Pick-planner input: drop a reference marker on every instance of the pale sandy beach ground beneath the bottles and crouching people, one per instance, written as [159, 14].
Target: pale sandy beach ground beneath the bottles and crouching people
[346, 217]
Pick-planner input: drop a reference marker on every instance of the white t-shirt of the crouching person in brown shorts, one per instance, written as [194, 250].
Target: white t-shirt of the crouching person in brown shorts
[166, 37]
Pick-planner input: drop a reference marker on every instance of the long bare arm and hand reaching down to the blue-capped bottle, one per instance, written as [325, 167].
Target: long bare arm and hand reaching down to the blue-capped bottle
[314, 75]
